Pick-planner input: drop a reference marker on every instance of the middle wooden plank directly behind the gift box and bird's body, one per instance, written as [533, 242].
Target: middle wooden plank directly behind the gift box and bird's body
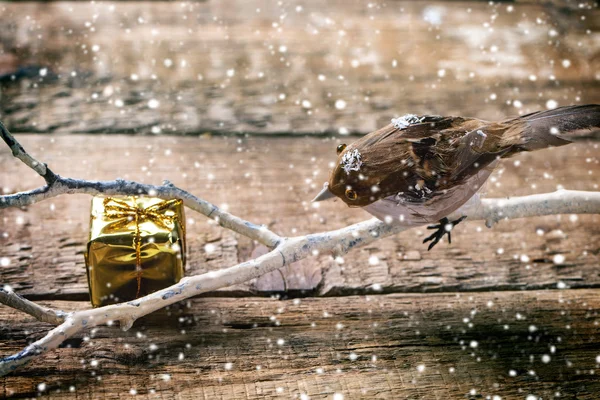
[254, 178]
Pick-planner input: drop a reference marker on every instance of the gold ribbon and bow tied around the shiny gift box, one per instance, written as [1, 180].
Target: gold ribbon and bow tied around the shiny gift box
[124, 214]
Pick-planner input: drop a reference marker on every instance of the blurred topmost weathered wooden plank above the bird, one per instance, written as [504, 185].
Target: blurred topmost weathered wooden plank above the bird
[239, 66]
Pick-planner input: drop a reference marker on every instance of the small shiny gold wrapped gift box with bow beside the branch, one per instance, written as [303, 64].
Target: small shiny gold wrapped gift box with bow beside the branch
[136, 247]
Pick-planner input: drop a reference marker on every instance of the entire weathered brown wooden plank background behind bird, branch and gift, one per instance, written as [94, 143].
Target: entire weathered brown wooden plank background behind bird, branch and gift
[490, 315]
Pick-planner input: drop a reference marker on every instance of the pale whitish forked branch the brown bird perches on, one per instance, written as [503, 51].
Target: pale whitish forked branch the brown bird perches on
[284, 250]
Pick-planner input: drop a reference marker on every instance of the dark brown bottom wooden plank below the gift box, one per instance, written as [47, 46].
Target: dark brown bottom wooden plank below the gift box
[429, 346]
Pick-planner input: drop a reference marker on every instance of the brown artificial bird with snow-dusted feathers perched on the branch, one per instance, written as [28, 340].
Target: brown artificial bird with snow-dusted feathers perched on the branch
[419, 169]
